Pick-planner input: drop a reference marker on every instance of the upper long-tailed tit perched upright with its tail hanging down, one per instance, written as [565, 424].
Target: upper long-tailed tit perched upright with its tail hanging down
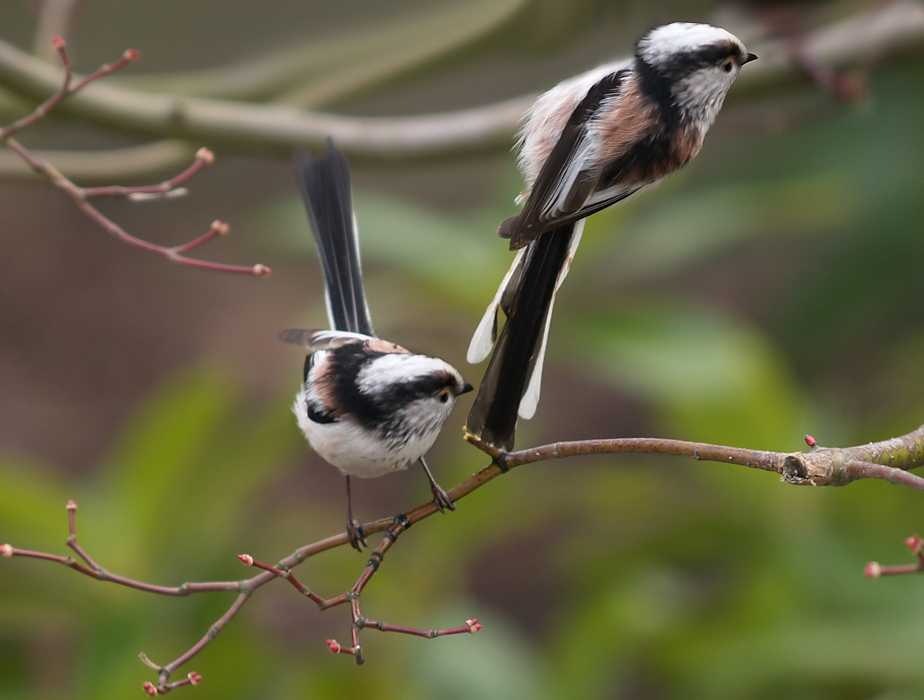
[590, 142]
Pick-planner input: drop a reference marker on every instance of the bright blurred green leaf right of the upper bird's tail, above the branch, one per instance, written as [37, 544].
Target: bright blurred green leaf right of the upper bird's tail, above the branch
[708, 376]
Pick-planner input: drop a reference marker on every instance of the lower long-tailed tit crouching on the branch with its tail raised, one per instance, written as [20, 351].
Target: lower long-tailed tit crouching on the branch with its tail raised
[367, 406]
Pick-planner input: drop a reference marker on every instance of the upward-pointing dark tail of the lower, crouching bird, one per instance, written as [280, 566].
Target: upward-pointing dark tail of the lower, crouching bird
[325, 184]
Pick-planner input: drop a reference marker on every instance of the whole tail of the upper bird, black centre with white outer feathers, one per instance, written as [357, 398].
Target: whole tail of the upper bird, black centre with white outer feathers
[512, 380]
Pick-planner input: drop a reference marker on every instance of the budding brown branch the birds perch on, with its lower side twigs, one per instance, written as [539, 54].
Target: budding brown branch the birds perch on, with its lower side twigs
[821, 466]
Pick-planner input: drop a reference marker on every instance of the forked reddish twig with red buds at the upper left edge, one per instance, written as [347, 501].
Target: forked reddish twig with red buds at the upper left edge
[81, 195]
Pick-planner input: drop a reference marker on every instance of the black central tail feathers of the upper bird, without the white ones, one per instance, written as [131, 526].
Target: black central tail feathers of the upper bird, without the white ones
[494, 413]
